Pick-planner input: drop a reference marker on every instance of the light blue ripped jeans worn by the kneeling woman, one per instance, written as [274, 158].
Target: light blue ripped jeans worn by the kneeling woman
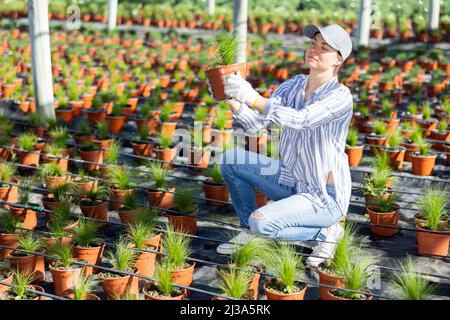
[290, 216]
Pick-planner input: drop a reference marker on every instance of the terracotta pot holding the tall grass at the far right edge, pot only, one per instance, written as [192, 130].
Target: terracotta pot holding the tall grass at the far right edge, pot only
[431, 243]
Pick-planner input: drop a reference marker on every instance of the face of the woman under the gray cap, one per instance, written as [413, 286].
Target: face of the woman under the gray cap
[320, 56]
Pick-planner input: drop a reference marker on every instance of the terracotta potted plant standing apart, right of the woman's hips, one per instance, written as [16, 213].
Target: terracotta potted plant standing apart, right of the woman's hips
[384, 212]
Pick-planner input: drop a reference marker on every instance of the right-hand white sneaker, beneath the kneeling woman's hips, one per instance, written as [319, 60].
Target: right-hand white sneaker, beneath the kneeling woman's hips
[325, 250]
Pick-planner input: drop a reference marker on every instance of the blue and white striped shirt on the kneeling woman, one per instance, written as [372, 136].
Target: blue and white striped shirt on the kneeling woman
[313, 136]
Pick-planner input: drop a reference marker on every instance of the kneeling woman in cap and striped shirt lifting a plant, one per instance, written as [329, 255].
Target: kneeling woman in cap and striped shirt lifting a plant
[311, 188]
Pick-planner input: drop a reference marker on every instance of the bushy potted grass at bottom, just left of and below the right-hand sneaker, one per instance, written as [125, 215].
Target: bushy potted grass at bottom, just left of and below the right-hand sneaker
[284, 264]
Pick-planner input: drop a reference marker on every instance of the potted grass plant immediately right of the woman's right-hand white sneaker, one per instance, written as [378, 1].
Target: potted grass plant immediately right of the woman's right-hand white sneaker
[331, 270]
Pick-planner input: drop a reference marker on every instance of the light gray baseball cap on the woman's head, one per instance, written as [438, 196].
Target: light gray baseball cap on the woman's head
[334, 35]
